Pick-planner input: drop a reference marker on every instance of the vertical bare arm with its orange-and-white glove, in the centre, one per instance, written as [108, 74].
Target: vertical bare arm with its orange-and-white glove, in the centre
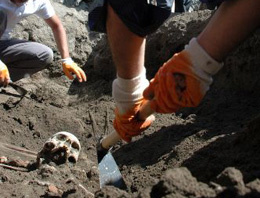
[128, 51]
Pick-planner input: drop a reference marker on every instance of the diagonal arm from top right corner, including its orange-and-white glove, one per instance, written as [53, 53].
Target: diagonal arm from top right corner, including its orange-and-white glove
[185, 78]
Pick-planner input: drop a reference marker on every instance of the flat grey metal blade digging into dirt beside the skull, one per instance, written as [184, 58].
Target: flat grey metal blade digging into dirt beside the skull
[109, 173]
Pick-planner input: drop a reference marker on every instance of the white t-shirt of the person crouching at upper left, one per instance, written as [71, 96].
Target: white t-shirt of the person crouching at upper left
[15, 14]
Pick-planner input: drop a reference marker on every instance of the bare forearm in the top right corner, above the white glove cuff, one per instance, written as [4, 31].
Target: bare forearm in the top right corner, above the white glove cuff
[230, 25]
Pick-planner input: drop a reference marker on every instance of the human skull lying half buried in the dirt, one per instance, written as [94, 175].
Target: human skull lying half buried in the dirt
[60, 148]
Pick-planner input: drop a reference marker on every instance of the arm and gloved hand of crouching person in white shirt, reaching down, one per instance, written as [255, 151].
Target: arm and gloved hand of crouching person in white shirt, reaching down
[69, 66]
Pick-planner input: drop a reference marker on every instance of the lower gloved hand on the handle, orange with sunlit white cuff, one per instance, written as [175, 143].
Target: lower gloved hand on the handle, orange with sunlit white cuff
[127, 94]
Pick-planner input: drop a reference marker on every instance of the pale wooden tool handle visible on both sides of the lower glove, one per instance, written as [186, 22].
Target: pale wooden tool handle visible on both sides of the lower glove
[113, 138]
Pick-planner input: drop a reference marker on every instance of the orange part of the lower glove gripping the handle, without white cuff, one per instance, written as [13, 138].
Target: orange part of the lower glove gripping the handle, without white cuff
[128, 125]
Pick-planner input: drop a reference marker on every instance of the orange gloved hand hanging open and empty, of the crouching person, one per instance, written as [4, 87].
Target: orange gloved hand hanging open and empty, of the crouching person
[70, 67]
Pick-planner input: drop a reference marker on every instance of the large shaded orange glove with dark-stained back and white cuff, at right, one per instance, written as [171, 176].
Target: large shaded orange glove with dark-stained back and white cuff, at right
[183, 80]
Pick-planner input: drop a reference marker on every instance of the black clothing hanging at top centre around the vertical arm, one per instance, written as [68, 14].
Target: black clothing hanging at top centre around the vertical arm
[140, 17]
